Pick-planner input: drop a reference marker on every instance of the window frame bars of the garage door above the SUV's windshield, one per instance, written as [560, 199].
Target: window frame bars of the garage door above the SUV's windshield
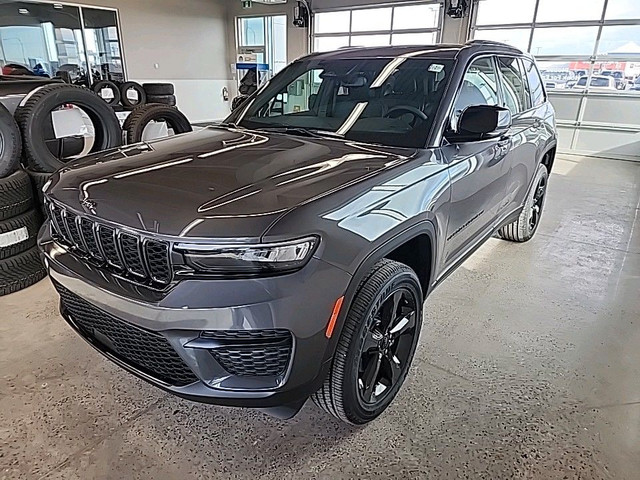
[351, 34]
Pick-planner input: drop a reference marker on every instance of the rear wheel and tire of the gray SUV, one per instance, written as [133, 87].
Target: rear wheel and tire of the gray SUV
[525, 227]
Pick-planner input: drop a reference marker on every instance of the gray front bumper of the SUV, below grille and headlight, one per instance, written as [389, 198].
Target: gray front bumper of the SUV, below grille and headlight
[193, 313]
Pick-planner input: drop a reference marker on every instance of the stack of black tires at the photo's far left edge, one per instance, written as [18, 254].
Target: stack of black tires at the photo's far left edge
[20, 264]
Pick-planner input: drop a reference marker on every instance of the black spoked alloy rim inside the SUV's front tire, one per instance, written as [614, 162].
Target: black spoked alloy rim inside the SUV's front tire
[386, 350]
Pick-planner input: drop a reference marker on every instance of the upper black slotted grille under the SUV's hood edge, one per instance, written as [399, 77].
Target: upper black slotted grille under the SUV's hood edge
[145, 260]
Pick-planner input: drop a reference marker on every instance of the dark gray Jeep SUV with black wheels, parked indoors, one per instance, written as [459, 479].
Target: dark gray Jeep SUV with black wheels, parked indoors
[287, 252]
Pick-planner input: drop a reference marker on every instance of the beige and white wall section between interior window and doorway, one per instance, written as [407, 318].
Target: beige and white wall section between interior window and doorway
[187, 39]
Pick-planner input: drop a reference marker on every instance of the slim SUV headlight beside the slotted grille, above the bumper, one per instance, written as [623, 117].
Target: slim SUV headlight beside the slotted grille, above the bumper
[249, 259]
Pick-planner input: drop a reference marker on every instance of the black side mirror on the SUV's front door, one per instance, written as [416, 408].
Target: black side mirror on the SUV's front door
[480, 122]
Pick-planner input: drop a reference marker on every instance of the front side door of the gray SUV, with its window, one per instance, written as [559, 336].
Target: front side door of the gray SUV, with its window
[478, 169]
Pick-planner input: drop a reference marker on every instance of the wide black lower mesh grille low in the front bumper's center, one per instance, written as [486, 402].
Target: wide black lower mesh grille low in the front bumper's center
[146, 351]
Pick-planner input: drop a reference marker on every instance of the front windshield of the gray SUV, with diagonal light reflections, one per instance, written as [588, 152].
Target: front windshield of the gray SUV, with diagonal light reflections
[390, 101]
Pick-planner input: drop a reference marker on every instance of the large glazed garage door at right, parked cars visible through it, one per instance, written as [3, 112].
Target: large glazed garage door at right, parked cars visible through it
[589, 56]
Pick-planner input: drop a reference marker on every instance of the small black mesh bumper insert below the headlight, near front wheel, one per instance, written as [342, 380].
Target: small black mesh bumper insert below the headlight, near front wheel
[252, 352]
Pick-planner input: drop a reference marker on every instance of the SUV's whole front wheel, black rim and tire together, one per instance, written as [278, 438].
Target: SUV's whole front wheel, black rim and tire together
[376, 345]
